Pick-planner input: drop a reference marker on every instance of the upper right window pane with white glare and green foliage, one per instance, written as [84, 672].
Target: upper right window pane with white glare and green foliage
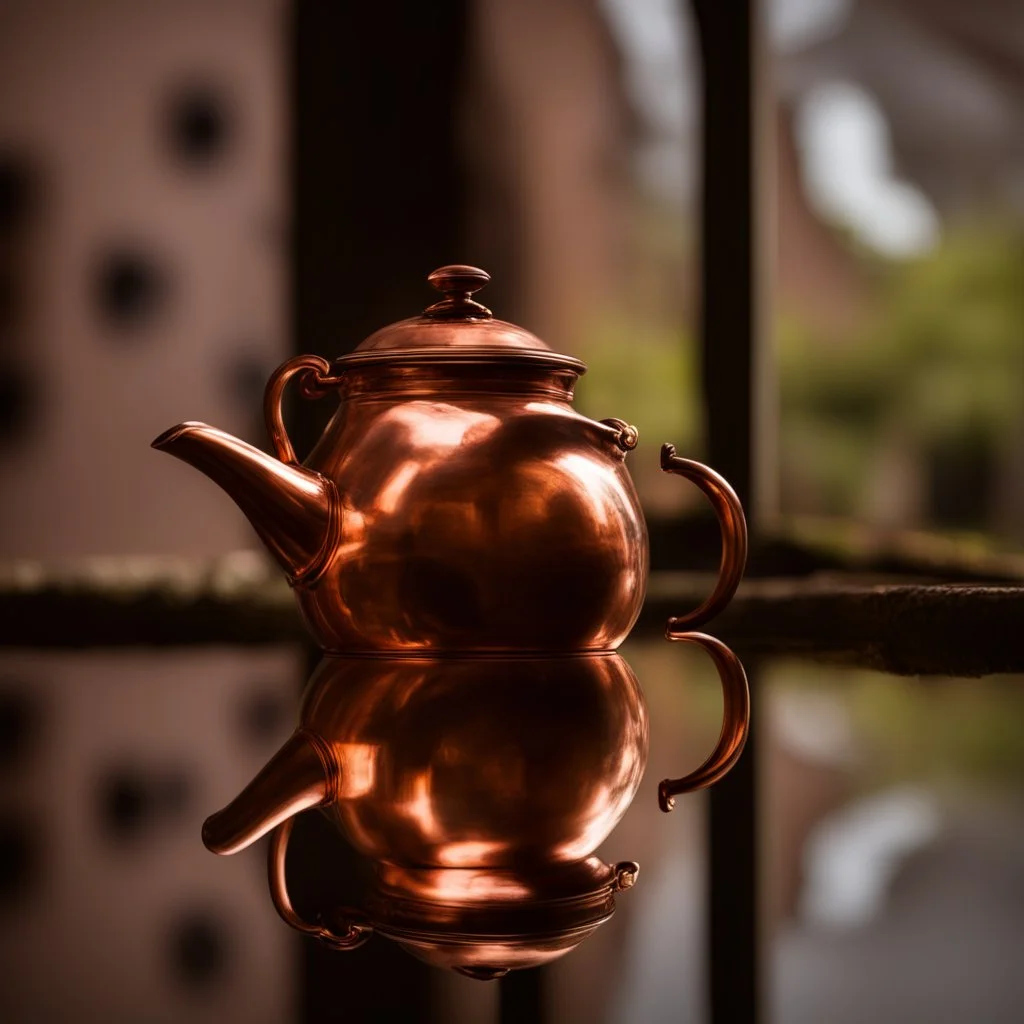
[901, 222]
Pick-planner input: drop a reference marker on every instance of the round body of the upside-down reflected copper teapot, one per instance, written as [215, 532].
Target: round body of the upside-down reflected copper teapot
[480, 763]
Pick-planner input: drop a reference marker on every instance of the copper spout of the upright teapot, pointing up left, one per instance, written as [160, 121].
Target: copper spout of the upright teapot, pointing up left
[294, 510]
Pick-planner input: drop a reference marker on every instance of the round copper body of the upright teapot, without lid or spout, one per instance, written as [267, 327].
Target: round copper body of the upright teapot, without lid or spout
[487, 522]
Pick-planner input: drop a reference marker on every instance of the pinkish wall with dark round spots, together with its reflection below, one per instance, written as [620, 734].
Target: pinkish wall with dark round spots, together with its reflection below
[143, 220]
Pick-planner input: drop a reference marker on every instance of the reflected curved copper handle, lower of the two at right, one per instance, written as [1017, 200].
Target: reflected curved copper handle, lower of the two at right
[736, 722]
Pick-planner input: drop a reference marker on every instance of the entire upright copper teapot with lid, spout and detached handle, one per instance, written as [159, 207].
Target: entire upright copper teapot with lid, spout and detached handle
[456, 502]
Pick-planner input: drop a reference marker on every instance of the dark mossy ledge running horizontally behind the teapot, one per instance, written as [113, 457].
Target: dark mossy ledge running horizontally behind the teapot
[242, 600]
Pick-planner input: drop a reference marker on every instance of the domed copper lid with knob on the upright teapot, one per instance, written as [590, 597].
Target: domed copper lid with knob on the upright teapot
[457, 329]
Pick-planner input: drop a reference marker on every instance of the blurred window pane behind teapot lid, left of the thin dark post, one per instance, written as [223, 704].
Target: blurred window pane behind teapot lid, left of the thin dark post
[590, 147]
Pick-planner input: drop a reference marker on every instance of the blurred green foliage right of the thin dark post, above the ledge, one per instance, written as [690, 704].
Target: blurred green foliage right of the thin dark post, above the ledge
[938, 363]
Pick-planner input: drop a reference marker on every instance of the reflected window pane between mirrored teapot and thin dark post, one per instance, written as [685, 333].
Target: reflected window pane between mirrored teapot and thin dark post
[649, 962]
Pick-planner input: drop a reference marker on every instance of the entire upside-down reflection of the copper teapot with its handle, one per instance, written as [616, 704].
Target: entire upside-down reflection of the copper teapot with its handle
[480, 787]
